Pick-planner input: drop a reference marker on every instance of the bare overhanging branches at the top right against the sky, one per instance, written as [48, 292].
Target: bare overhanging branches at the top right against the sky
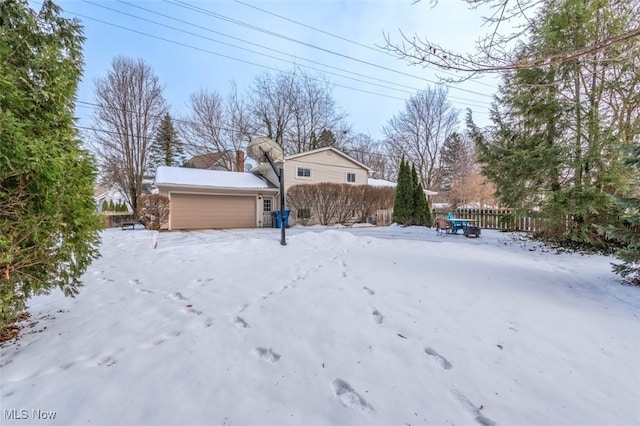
[498, 50]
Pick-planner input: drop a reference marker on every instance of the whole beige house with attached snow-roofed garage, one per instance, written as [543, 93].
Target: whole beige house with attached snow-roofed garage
[215, 199]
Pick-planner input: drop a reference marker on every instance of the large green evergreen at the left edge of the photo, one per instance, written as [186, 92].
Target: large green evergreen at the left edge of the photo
[48, 228]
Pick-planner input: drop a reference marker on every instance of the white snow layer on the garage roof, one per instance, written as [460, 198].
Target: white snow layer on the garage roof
[208, 178]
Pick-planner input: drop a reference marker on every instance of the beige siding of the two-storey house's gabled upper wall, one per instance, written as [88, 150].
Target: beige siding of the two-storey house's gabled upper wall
[326, 166]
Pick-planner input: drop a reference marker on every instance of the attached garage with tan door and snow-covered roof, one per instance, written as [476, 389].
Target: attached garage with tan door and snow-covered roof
[213, 199]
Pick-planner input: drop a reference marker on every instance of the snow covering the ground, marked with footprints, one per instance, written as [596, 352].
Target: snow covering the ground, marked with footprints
[342, 326]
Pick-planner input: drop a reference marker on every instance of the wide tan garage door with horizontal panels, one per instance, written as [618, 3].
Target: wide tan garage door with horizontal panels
[196, 211]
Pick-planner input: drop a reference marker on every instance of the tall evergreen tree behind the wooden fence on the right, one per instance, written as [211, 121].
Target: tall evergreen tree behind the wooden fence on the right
[554, 144]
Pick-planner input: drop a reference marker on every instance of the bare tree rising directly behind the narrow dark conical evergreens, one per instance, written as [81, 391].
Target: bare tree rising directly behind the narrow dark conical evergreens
[419, 131]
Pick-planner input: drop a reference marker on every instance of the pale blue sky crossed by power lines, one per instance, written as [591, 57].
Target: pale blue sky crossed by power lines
[186, 48]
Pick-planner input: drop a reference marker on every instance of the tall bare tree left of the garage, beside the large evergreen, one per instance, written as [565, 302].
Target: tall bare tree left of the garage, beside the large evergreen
[130, 107]
